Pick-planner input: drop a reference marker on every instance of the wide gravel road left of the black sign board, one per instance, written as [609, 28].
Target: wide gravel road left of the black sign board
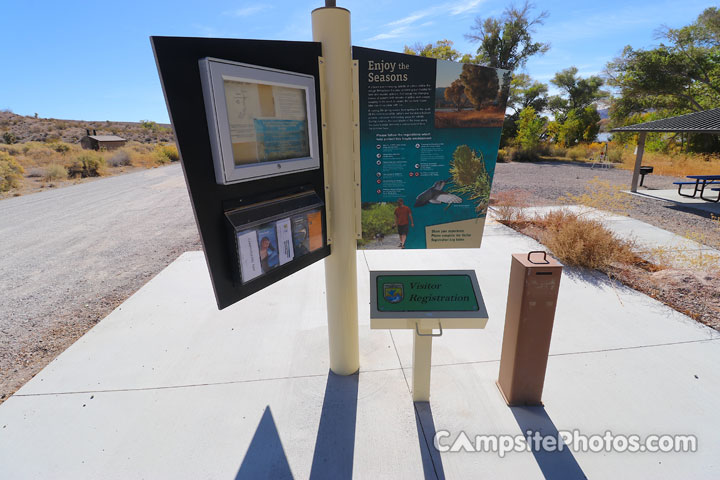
[70, 255]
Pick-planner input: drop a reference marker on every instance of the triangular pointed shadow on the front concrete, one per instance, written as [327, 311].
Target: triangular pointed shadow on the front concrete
[265, 457]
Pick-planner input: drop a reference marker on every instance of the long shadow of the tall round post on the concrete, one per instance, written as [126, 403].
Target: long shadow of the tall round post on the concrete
[335, 443]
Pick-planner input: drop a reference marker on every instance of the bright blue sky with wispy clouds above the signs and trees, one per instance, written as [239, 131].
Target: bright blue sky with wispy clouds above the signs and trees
[92, 60]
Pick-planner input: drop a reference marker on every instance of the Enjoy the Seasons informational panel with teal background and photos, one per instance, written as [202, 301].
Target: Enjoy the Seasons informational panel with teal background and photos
[429, 135]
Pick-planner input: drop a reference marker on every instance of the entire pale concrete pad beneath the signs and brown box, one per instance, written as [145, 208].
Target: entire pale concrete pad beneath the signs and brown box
[168, 387]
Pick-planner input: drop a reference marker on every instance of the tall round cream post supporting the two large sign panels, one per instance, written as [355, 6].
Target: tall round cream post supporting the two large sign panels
[331, 27]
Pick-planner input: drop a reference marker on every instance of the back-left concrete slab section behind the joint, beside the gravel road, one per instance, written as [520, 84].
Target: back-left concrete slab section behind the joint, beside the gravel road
[170, 333]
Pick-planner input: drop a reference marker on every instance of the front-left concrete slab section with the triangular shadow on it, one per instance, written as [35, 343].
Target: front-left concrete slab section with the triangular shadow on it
[215, 431]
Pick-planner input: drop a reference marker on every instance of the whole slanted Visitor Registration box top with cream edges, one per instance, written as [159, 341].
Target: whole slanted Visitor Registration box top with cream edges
[400, 298]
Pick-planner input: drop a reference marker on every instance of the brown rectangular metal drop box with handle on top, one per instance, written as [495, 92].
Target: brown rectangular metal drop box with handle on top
[529, 316]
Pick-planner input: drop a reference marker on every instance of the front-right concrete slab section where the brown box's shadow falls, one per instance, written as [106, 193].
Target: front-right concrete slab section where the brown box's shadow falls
[620, 391]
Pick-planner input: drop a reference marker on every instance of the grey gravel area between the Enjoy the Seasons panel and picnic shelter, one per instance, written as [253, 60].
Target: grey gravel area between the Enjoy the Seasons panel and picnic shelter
[545, 182]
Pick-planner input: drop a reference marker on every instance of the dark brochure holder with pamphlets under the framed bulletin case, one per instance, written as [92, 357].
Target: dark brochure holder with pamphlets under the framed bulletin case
[271, 235]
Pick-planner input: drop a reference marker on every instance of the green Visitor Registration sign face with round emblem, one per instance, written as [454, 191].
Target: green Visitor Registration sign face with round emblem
[425, 293]
